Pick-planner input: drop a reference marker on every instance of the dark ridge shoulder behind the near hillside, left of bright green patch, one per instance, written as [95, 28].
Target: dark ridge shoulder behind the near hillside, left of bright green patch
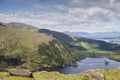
[68, 40]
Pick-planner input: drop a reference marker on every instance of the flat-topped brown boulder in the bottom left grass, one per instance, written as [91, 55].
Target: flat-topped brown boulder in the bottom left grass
[20, 72]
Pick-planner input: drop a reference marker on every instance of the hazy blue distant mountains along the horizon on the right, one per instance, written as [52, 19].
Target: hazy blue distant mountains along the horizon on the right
[96, 35]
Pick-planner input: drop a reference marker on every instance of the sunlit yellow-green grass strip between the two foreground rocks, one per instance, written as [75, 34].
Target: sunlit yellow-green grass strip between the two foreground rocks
[57, 76]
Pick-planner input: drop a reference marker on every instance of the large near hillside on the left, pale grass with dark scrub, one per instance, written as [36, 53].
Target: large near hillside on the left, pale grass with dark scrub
[26, 49]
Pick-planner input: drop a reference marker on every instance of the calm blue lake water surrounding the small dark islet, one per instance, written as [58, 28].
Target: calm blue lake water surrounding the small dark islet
[89, 63]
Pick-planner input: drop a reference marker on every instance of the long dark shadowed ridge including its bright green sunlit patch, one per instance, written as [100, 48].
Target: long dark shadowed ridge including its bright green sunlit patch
[81, 43]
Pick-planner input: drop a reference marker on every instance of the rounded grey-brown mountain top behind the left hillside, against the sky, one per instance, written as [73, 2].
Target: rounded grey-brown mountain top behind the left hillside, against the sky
[19, 26]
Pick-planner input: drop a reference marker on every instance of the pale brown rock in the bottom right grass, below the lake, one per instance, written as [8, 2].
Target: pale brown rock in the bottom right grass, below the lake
[94, 74]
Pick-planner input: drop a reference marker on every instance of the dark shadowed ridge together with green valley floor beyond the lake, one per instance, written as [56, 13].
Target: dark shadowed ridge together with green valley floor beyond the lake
[87, 47]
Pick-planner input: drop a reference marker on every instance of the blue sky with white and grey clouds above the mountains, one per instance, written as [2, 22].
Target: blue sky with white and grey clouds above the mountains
[64, 15]
